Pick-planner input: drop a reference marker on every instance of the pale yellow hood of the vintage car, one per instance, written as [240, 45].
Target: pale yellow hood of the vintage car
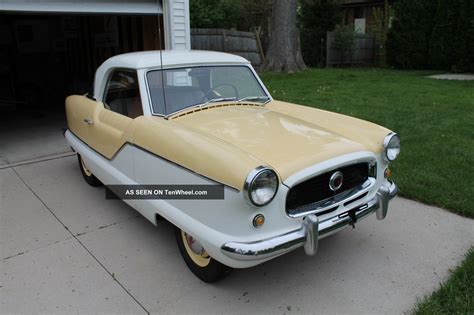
[284, 142]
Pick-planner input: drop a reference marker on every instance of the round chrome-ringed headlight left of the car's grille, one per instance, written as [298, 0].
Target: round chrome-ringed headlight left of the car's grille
[261, 186]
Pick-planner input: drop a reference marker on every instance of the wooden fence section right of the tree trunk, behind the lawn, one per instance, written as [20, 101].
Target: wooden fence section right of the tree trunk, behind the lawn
[363, 51]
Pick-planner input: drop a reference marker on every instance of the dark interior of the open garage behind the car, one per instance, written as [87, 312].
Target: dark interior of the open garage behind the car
[46, 57]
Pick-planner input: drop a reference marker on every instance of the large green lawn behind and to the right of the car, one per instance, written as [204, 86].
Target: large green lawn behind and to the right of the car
[434, 118]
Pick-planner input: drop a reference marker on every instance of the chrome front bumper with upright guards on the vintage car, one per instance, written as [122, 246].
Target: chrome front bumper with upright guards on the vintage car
[311, 230]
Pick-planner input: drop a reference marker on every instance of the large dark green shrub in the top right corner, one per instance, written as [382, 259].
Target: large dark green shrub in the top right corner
[430, 34]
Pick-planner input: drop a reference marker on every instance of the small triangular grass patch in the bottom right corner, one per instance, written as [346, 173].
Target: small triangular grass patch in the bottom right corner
[456, 295]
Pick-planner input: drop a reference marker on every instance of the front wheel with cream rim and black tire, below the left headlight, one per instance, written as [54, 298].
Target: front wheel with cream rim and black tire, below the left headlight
[198, 260]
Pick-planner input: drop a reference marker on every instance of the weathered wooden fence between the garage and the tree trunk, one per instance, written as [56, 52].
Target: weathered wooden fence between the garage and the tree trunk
[245, 44]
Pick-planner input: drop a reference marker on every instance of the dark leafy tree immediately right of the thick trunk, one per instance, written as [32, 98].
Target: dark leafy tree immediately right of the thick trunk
[316, 18]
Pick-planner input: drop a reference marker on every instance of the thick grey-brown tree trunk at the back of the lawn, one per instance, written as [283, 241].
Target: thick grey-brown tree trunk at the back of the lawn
[284, 49]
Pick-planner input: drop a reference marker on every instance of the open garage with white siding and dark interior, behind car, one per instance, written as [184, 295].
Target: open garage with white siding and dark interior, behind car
[50, 49]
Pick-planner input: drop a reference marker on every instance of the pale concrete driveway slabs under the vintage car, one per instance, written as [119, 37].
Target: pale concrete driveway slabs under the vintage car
[64, 248]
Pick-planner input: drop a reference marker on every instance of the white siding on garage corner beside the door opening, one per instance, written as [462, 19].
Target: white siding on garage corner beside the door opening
[177, 28]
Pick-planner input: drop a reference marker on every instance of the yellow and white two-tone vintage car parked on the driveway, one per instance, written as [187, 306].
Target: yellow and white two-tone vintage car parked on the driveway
[291, 174]
